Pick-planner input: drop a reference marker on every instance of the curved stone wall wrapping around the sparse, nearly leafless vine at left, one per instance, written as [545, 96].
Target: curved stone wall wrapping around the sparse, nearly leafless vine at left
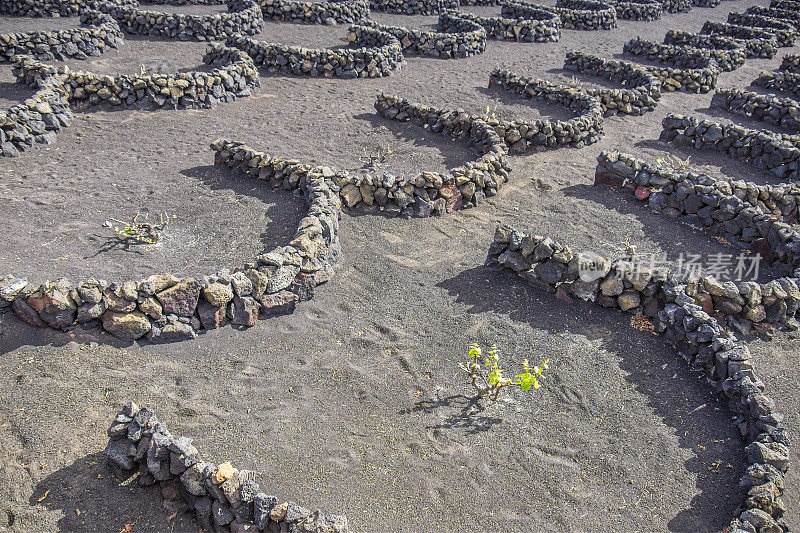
[166, 308]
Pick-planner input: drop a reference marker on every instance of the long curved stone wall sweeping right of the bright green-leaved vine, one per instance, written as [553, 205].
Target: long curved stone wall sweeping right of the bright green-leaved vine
[701, 339]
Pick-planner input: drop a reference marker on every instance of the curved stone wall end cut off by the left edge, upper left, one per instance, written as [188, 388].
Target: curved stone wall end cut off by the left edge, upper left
[39, 118]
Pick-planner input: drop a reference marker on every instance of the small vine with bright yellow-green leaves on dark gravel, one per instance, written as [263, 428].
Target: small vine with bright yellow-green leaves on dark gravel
[486, 376]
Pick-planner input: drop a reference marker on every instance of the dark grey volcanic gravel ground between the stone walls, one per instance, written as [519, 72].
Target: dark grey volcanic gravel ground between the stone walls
[355, 403]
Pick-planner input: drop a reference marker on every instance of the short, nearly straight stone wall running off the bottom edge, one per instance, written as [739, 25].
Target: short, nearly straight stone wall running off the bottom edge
[222, 498]
